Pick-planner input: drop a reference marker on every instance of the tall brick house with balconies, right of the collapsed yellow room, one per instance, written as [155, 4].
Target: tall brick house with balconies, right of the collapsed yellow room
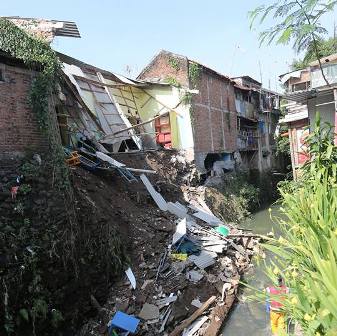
[232, 119]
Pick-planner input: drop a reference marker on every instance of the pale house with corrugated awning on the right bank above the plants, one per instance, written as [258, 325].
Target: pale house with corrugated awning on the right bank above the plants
[307, 93]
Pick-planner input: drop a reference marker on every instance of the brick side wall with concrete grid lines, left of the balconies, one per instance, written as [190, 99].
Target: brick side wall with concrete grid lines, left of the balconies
[214, 115]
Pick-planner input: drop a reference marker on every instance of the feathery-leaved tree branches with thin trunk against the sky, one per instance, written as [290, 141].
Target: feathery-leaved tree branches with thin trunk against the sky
[297, 21]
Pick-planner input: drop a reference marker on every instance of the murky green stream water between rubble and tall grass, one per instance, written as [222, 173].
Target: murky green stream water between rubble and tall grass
[251, 318]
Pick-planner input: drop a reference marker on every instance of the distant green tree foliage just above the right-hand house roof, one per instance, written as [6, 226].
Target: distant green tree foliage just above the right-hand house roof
[325, 48]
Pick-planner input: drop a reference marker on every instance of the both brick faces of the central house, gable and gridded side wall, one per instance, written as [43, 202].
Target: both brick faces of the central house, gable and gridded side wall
[214, 113]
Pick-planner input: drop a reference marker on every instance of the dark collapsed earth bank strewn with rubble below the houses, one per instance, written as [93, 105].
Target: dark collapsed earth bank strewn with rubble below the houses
[63, 259]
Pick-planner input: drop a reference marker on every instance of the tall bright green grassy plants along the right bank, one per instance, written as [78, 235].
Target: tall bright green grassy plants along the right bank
[306, 252]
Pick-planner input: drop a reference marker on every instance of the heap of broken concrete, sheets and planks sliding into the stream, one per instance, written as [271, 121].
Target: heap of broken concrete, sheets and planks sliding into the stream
[174, 280]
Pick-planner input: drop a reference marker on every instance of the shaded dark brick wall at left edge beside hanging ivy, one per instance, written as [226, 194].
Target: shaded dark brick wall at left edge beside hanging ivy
[18, 126]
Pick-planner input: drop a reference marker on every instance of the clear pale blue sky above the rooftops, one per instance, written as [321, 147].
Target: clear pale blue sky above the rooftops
[125, 34]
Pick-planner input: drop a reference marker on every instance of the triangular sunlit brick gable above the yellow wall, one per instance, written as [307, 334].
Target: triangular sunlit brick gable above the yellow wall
[161, 68]
